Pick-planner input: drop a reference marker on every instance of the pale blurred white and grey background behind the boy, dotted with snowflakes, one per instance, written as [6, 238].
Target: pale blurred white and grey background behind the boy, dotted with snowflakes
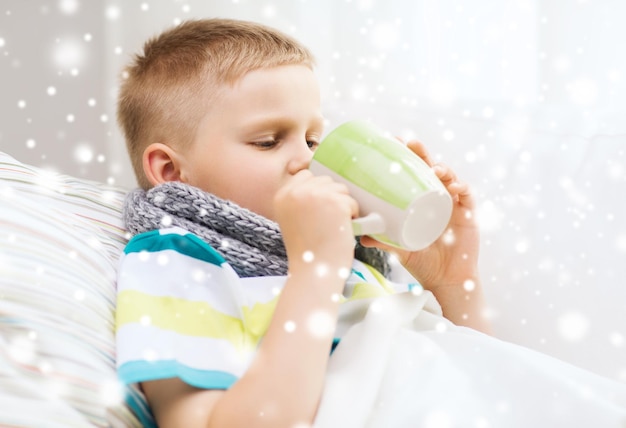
[525, 99]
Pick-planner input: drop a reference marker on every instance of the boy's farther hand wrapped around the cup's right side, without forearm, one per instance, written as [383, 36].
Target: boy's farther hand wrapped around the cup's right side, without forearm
[453, 258]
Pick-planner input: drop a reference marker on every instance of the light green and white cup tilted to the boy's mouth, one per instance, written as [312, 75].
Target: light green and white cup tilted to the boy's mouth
[402, 201]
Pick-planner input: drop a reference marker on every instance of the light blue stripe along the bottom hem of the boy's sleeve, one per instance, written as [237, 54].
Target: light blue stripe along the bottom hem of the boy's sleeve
[144, 371]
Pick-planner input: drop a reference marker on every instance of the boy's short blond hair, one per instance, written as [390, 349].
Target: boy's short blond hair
[166, 90]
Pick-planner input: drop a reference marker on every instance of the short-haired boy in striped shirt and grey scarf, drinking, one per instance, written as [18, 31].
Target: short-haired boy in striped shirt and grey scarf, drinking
[221, 119]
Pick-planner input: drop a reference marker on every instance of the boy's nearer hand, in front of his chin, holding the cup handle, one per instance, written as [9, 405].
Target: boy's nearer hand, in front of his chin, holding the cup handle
[314, 214]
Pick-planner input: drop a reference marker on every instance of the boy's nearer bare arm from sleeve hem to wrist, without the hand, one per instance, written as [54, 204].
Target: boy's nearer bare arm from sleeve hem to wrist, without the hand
[283, 385]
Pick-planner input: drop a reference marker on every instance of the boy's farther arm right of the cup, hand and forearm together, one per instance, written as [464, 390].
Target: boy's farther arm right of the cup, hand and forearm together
[449, 266]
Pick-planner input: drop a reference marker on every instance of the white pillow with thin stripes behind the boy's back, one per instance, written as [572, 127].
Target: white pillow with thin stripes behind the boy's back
[60, 239]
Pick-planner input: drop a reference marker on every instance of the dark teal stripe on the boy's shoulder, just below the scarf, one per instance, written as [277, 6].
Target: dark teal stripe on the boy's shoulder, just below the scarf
[188, 244]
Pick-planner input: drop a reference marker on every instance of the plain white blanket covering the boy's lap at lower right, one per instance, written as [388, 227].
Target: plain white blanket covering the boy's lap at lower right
[404, 366]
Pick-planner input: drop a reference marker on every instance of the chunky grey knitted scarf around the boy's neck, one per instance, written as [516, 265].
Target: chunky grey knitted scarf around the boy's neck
[249, 242]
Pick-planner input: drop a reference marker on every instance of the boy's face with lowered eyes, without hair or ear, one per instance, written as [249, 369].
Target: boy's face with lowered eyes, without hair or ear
[256, 136]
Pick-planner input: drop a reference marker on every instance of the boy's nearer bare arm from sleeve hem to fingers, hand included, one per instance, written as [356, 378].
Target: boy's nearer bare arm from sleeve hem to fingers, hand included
[283, 385]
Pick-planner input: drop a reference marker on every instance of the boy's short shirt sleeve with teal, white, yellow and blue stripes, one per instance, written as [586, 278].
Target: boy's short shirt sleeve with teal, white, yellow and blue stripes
[177, 315]
